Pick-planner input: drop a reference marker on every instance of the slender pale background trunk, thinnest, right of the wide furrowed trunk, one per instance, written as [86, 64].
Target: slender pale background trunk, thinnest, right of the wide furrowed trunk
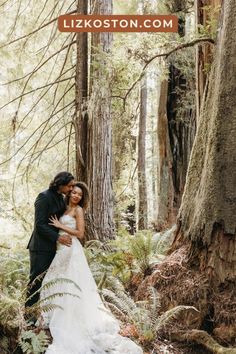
[142, 187]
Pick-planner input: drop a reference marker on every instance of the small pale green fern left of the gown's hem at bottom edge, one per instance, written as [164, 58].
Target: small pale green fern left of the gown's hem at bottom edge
[31, 342]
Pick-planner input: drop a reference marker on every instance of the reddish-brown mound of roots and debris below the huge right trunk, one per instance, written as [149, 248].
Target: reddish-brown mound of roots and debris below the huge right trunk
[208, 320]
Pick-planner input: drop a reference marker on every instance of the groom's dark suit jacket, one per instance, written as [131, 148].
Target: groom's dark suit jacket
[44, 236]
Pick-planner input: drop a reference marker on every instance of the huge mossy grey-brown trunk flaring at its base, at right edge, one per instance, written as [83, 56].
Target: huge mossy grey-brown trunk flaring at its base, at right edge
[207, 218]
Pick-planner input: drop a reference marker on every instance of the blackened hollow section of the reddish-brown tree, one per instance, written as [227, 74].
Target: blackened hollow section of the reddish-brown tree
[181, 128]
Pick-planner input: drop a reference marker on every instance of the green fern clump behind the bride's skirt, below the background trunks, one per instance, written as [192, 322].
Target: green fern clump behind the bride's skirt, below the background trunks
[125, 256]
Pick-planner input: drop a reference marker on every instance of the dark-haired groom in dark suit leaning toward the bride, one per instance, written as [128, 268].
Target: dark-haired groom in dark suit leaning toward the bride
[42, 244]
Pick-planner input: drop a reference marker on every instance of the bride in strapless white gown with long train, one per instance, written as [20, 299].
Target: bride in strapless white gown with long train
[78, 321]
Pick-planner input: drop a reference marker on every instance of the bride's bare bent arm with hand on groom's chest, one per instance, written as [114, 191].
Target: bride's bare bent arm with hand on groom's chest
[79, 231]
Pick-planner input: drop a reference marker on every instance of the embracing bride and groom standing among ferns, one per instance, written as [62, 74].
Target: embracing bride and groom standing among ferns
[79, 323]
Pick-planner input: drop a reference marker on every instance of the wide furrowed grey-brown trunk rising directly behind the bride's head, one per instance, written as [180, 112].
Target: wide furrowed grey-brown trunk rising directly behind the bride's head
[99, 145]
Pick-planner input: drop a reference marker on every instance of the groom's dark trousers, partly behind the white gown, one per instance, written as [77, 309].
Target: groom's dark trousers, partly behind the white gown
[39, 264]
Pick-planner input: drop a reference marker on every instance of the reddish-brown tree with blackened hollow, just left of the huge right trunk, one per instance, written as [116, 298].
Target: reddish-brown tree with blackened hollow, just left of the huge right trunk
[177, 124]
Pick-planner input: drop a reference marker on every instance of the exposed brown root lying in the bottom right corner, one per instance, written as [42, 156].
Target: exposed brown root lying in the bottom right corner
[203, 338]
